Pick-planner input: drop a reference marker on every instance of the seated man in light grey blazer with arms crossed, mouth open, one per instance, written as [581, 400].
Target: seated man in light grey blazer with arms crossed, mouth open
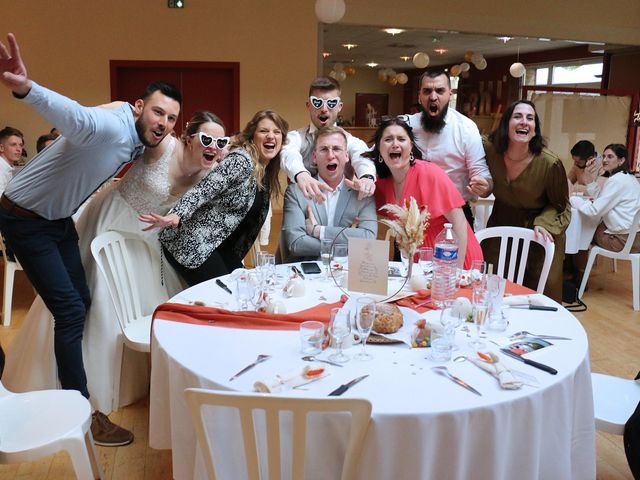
[342, 215]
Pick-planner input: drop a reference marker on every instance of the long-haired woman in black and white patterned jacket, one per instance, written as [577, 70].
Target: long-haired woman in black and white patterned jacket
[212, 227]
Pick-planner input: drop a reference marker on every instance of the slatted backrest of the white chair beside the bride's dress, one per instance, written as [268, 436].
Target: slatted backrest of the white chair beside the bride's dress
[113, 258]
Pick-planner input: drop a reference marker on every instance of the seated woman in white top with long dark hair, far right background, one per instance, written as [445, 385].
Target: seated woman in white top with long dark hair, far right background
[615, 204]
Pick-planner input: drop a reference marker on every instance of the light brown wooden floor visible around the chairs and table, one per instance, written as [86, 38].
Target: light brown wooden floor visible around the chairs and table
[612, 325]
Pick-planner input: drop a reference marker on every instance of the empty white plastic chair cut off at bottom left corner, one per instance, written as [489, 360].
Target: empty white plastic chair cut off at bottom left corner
[37, 424]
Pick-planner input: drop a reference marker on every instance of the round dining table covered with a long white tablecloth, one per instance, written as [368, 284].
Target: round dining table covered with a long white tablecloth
[423, 425]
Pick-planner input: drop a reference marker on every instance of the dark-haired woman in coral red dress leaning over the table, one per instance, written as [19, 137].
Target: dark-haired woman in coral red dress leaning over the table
[401, 175]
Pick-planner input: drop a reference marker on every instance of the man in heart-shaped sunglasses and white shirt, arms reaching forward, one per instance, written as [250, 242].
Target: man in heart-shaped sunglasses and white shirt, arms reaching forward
[324, 105]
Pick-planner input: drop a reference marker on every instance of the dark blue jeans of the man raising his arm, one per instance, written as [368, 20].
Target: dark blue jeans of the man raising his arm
[49, 254]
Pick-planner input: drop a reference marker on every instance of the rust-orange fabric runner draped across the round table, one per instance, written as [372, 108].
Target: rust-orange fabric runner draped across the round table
[220, 317]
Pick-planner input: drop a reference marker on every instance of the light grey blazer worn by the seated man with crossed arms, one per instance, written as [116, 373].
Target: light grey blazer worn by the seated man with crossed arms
[296, 245]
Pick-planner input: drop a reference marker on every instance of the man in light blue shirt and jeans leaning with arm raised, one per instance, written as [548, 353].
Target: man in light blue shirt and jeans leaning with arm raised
[36, 207]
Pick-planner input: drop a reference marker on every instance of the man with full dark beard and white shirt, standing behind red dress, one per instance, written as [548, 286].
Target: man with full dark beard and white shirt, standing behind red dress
[450, 140]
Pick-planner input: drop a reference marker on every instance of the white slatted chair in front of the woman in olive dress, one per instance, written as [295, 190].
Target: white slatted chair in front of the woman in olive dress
[518, 239]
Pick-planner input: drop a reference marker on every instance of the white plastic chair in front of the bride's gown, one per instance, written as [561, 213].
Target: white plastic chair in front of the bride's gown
[113, 258]
